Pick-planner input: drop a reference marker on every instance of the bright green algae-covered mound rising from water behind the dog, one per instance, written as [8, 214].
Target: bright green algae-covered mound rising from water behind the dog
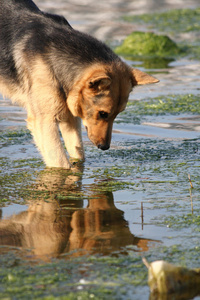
[148, 44]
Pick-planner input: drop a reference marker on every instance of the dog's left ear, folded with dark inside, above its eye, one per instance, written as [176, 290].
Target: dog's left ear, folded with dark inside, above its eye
[99, 83]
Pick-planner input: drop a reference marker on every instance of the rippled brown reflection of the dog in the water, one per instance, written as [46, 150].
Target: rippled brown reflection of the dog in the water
[60, 224]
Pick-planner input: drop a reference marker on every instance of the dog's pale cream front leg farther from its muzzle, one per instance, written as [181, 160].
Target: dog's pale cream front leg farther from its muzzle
[46, 135]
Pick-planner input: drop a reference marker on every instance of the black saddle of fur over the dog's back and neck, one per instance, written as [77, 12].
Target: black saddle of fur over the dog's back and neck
[49, 35]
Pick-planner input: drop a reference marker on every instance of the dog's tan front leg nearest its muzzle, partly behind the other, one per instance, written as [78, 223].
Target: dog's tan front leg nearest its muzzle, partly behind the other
[72, 135]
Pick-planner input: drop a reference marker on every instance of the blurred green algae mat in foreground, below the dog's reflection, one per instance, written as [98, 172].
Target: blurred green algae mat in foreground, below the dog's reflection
[64, 279]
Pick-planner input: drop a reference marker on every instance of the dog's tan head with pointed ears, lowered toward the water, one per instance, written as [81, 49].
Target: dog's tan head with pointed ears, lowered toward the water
[100, 95]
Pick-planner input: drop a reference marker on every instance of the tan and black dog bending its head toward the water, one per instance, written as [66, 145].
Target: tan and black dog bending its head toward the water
[61, 76]
